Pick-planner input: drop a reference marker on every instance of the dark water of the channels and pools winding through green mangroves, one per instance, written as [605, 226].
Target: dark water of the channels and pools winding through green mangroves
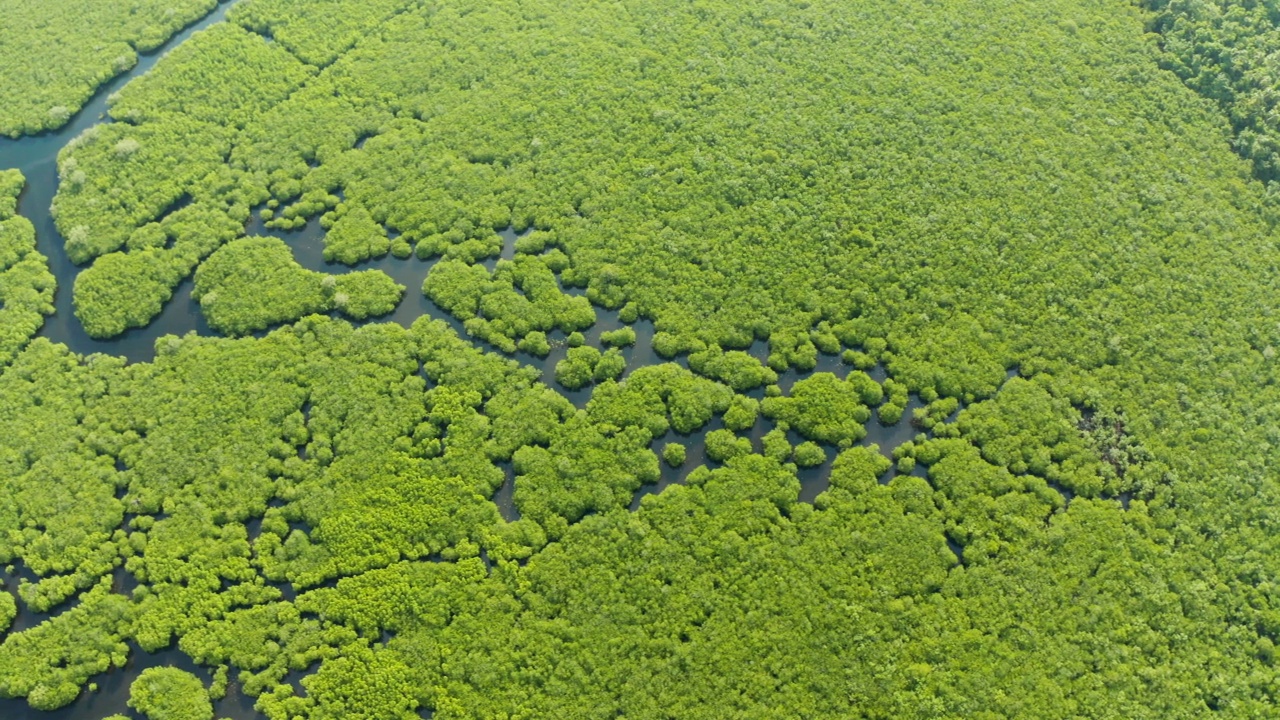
[36, 158]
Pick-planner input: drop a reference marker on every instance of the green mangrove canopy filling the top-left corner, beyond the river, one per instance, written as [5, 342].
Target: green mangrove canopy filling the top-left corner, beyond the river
[56, 56]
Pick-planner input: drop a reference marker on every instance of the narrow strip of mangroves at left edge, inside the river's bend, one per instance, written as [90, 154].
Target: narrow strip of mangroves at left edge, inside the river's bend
[26, 285]
